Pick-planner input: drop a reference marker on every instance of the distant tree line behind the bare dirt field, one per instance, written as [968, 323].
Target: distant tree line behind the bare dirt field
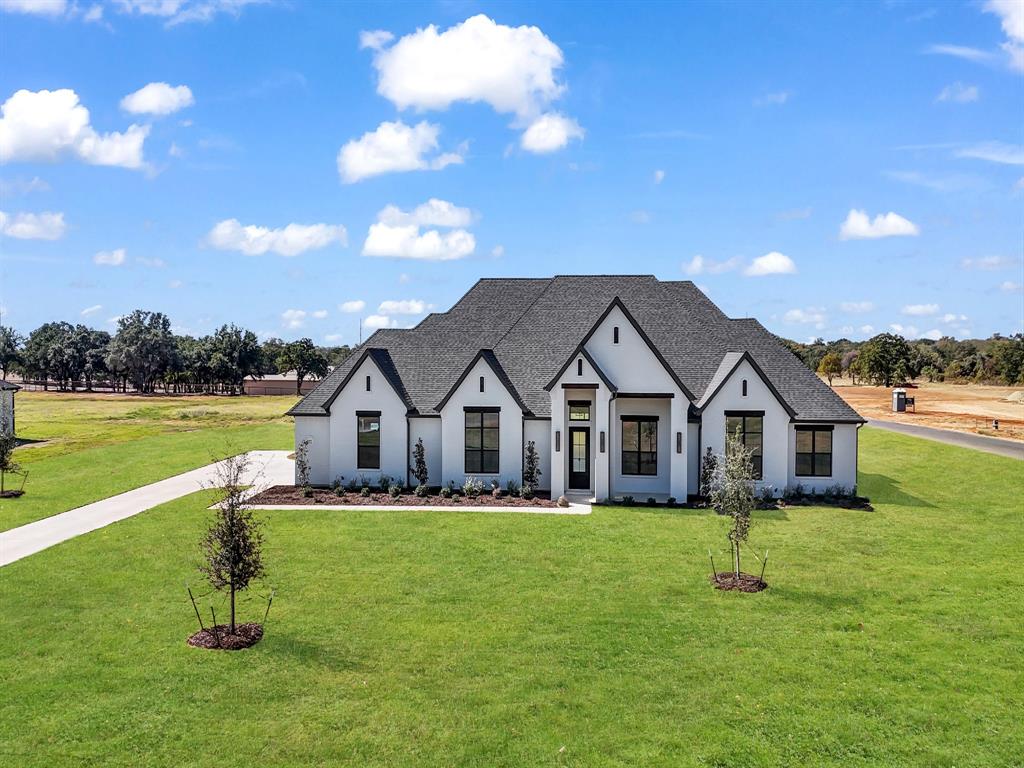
[888, 360]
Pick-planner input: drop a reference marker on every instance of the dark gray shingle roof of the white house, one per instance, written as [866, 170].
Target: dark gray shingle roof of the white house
[532, 326]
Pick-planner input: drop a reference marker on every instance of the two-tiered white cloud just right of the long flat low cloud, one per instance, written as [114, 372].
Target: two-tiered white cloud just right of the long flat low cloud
[397, 234]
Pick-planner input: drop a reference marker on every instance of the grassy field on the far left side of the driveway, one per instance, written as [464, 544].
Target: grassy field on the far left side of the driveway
[88, 448]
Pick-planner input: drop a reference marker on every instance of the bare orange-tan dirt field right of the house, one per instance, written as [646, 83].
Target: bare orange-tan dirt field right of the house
[965, 408]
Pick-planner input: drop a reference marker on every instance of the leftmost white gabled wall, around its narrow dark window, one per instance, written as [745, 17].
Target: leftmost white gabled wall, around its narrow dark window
[344, 426]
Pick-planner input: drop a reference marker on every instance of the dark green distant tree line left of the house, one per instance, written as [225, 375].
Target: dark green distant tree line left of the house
[146, 356]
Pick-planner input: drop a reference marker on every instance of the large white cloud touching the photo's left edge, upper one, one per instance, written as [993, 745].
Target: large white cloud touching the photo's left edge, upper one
[48, 125]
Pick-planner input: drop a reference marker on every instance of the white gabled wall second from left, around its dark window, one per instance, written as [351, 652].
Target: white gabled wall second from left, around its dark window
[454, 428]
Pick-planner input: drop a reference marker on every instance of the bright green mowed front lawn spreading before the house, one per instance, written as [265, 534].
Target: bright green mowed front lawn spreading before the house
[471, 639]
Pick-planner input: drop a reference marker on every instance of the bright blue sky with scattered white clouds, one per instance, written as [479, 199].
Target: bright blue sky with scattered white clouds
[831, 169]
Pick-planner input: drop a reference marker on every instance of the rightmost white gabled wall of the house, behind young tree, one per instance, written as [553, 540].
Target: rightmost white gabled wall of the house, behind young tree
[778, 457]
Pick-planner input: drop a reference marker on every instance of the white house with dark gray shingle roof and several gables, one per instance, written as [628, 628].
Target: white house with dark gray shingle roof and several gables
[622, 382]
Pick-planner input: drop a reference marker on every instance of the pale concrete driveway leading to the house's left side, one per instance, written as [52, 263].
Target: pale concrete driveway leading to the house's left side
[267, 468]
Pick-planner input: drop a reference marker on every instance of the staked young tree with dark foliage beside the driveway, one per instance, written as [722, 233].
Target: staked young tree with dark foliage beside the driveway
[233, 546]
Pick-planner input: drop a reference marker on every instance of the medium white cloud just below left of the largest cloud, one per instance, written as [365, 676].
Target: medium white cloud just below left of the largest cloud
[395, 148]
